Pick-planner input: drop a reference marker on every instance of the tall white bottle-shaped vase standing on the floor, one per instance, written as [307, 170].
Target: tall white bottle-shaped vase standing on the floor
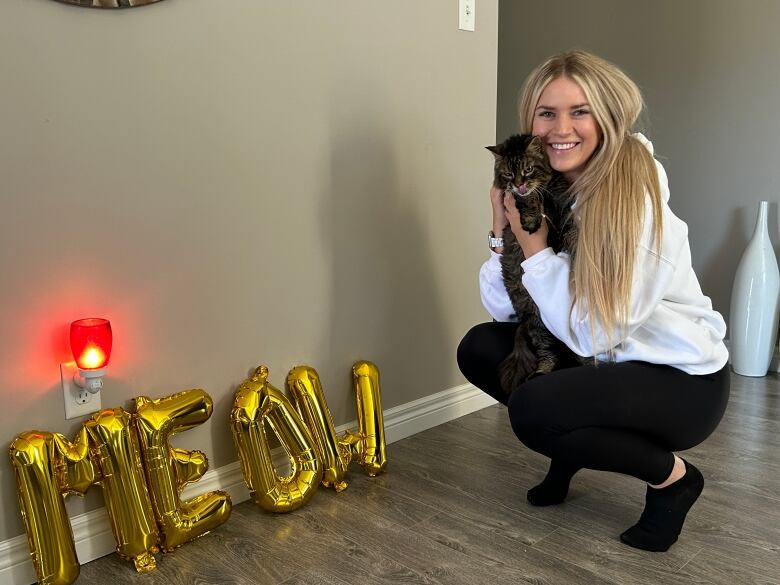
[755, 303]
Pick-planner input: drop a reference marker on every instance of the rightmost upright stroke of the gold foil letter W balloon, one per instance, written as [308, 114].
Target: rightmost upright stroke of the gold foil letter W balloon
[369, 448]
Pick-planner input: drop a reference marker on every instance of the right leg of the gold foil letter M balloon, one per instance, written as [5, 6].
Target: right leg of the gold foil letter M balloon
[117, 458]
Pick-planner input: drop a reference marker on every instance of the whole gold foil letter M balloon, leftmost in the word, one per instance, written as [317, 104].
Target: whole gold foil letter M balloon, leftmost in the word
[49, 466]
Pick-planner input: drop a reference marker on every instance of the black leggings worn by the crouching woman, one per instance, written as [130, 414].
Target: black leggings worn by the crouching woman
[627, 417]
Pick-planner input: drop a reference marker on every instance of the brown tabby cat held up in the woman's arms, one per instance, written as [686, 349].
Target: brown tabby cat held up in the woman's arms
[540, 193]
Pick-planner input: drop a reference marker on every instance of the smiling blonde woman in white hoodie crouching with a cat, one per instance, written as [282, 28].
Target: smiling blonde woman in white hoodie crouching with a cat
[627, 296]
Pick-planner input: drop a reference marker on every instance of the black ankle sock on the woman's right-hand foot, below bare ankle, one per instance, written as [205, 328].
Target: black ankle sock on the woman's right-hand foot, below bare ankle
[664, 513]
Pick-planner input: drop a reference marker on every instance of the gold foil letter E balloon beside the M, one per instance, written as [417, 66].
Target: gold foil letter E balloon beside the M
[167, 470]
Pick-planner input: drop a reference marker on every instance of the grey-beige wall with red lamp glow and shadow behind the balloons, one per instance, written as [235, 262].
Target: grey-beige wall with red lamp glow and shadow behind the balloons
[236, 183]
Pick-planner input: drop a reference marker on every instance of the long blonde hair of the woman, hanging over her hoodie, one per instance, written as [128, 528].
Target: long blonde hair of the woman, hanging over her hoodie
[611, 190]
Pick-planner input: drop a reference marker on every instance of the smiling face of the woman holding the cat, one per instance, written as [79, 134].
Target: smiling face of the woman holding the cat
[564, 120]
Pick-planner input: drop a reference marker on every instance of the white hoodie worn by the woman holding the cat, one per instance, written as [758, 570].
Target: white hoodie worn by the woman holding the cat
[670, 322]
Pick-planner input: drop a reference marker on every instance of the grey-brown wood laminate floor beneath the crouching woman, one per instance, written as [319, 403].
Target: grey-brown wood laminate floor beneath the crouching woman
[451, 509]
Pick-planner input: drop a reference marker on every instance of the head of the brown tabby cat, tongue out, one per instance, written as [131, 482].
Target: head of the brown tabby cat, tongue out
[521, 165]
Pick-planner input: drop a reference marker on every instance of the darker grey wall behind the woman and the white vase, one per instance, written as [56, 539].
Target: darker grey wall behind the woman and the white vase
[709, 71]
